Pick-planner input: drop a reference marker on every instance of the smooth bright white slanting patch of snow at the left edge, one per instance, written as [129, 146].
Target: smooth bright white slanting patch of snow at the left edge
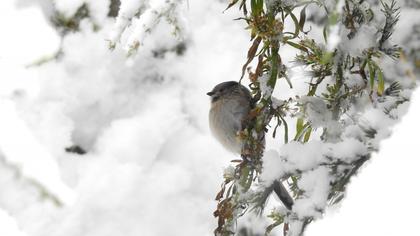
[33, 160]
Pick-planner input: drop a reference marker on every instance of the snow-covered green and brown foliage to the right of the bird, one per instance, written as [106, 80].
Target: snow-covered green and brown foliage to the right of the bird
[352, 98]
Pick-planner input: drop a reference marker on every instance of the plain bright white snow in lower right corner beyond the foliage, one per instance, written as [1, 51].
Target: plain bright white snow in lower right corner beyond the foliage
[383, 198]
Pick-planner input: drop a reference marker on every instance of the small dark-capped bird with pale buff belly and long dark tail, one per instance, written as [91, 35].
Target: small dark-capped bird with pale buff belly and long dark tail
[231, 103]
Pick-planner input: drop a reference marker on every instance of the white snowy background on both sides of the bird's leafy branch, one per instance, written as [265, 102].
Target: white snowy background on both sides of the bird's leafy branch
[152, 168]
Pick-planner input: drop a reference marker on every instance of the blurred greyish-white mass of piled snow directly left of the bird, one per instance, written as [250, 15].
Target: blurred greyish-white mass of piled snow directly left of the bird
[152, 166]
